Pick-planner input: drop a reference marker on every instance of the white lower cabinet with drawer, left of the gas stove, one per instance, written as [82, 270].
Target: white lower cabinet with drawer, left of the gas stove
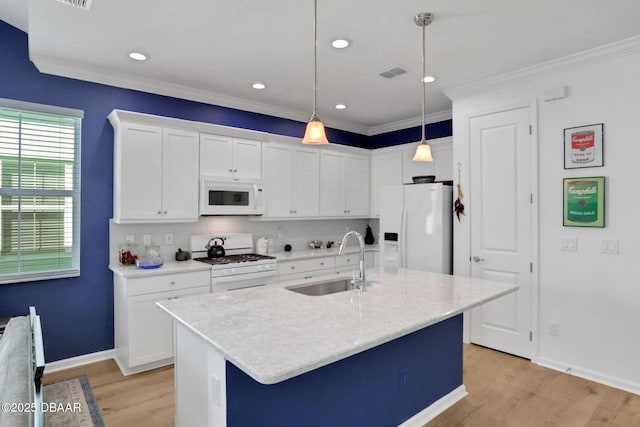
[143, 333]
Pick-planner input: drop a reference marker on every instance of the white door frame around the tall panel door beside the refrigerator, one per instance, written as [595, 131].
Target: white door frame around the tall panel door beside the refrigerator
[463, 157]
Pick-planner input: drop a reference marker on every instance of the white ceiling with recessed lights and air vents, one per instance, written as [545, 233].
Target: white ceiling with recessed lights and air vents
[213, 50]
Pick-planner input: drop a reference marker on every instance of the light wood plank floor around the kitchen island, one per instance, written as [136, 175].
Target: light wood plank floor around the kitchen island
[503, 391]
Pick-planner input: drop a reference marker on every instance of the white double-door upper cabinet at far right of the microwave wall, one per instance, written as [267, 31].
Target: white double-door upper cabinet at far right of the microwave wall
[344, 184]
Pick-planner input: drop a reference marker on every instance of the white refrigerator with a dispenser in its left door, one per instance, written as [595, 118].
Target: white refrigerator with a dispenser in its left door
[416, 229]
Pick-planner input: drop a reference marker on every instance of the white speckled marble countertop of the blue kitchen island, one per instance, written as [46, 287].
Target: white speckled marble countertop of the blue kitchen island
[274, 334]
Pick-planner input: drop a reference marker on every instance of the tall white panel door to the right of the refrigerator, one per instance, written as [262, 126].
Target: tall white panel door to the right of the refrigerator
[500, 214]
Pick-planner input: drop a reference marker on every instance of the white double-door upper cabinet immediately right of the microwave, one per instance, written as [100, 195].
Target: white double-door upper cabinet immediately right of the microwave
[292, 177]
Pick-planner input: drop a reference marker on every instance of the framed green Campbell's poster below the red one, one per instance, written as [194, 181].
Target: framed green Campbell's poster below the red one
[583, 204]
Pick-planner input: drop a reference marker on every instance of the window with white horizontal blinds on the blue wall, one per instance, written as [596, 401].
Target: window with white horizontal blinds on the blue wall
[39, 192]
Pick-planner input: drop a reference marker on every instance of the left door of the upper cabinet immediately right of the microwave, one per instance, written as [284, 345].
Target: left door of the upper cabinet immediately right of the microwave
[277, 162]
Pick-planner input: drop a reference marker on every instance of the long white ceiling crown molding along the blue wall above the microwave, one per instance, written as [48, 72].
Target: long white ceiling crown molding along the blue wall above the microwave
[49, 65]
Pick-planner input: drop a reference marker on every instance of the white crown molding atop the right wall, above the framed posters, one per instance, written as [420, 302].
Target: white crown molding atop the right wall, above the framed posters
[578, 60]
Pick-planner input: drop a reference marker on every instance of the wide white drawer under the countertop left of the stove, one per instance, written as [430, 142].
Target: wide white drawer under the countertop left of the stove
[167, 282]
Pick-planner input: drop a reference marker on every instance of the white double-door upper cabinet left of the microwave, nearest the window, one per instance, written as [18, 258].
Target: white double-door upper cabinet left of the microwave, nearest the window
[155, 174]
